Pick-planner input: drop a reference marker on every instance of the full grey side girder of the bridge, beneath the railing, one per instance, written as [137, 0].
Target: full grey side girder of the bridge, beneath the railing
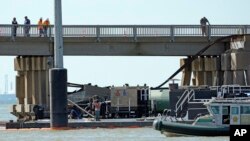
[111, 46]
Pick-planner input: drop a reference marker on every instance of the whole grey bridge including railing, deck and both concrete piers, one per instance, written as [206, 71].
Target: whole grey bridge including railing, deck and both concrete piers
[35, 54]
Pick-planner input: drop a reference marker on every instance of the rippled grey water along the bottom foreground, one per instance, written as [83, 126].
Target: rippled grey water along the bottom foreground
[98, 134]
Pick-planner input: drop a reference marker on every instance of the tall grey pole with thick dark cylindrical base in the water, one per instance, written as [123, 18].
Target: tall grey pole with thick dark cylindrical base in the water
[58, 76]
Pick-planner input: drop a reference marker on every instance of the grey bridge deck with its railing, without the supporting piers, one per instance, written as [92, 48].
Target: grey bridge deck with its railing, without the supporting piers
[120, 40]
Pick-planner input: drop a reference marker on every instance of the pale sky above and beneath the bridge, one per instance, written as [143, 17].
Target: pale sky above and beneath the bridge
[105, 71]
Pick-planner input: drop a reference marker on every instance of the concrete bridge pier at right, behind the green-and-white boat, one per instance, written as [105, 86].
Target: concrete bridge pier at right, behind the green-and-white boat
[231, 67]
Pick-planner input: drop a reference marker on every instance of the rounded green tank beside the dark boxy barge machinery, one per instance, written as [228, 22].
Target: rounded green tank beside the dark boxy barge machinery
[159, 100]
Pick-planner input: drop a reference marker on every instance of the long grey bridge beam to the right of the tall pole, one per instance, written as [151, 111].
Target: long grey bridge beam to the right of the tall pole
[140, 49]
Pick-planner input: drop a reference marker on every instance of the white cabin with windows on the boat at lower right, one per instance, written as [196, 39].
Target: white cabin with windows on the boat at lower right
[230, 111]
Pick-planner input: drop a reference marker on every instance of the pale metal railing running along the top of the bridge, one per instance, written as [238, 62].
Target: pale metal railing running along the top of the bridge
[133, 31]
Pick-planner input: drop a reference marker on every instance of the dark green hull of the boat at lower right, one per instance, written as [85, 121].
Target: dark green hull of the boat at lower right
[189, 129]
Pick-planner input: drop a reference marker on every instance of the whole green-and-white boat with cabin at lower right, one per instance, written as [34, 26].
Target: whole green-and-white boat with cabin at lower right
[223, 112]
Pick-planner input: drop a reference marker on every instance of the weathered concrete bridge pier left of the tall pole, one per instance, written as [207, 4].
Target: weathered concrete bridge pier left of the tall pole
[32, 85]
